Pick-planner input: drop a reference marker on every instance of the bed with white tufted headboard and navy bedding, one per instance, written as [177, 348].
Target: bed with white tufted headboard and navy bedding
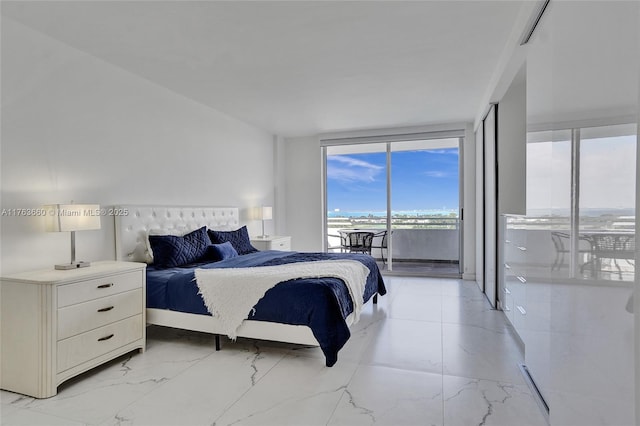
[311, 311]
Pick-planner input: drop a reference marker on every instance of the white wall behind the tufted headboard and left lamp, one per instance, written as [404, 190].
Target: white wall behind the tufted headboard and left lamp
[77, 128]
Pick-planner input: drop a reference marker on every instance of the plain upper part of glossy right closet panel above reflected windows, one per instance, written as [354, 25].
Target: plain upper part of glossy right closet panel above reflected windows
[583, 62]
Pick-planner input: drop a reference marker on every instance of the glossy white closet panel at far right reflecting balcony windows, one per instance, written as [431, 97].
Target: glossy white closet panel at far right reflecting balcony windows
[580, 318]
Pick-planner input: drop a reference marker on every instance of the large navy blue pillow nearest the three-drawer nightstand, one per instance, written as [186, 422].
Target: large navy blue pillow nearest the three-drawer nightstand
[170, 251]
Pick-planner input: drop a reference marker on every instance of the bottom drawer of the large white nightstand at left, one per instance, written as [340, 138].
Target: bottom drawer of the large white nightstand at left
[86, 346]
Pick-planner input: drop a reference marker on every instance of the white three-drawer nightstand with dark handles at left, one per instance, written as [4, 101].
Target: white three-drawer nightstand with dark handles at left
[58, 324]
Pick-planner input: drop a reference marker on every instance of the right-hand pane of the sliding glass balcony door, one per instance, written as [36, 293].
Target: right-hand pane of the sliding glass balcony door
[425, 200]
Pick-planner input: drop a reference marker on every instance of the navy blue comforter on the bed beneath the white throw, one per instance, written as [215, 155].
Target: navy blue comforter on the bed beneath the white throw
[322, 304]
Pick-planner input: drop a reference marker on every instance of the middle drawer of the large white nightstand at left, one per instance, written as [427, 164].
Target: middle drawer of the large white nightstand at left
[76, 319]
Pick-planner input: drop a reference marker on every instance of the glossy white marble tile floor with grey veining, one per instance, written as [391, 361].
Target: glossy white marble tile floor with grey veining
[432, 352]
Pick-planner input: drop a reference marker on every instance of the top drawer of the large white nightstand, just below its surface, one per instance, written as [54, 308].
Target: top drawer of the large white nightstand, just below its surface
[71, 294]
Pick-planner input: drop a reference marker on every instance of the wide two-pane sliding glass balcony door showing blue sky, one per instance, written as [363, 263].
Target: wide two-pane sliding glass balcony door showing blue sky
[407, 193]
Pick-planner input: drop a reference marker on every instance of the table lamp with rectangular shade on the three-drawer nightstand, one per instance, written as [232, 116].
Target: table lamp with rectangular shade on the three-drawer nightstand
[72, 218]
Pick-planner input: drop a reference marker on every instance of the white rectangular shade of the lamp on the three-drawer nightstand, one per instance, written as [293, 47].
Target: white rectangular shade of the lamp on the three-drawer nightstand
[72, 217]
